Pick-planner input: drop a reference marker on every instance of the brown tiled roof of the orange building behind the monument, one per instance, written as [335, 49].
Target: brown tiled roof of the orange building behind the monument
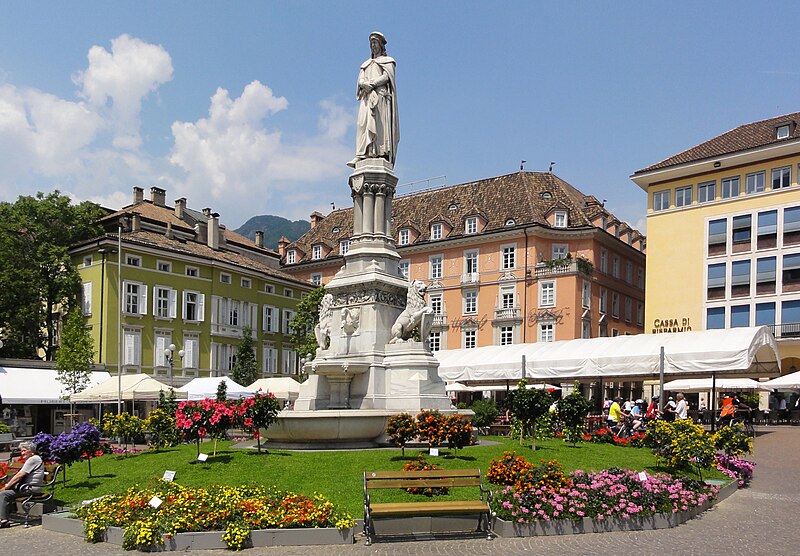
[518, 196]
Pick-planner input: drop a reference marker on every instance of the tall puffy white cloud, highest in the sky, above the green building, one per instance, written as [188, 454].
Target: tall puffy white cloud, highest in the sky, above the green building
[117, 81]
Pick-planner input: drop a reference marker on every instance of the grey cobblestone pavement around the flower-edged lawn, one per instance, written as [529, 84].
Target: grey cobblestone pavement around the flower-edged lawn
[759, 520]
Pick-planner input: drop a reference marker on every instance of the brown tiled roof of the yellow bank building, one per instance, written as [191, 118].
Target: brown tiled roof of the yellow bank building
[743, 138]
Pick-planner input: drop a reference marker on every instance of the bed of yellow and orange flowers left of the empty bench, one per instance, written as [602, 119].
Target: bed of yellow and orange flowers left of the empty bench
[234, 510]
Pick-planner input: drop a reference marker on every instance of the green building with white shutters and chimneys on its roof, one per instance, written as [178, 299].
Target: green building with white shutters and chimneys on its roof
[184, 280]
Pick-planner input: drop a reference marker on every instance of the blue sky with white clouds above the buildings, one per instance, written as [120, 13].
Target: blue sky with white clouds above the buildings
[249, 107]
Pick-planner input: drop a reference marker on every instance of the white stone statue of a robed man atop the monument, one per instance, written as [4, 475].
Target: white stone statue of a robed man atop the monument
[378, 128]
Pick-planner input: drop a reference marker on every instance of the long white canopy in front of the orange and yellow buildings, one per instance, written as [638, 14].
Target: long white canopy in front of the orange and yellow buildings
[737, 350]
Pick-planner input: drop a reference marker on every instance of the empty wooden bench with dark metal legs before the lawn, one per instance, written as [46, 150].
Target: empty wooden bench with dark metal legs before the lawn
[435, 479]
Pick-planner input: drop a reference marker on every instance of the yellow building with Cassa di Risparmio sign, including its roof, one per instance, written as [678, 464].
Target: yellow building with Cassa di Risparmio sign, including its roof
[723, 229]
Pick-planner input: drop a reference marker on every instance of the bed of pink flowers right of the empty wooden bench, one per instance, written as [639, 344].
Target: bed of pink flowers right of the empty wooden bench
[607, 494]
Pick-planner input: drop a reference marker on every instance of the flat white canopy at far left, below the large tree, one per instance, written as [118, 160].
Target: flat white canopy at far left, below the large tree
[20, 385]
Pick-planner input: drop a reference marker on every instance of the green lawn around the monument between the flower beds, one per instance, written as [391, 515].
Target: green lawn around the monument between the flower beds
[335, 474]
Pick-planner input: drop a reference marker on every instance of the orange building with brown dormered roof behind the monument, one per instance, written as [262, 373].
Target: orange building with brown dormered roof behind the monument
[523, 257]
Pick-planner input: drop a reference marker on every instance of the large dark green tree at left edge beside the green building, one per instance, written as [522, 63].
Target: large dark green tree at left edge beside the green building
[37, 277]
